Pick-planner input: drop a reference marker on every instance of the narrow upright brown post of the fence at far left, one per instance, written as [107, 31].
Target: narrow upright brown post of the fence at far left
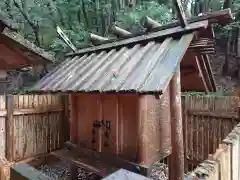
[9, 127]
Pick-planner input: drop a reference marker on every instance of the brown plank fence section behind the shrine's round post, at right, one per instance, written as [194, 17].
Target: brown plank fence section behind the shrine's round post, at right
[207, 120]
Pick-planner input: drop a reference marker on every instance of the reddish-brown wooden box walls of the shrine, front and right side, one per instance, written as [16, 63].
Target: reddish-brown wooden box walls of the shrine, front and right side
[136, 125]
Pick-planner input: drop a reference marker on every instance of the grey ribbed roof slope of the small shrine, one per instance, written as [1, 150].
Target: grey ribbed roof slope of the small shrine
[142, 68]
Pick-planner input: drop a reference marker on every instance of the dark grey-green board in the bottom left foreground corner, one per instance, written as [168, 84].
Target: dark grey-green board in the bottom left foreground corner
[26, 172]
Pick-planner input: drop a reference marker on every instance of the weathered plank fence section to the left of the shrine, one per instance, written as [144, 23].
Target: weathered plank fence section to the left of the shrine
[31, 125]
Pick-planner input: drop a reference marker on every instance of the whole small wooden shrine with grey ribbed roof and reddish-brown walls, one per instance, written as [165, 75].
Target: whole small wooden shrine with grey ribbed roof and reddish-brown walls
[126, 95]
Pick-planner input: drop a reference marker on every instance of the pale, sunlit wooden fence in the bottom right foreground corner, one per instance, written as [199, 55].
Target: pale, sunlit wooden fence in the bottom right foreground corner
[224, 163]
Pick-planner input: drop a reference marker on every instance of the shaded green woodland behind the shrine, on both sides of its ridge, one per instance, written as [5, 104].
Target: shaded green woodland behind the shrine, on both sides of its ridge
[37, 20]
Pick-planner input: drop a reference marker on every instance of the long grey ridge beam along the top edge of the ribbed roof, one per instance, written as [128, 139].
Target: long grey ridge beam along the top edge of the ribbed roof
[151, 36]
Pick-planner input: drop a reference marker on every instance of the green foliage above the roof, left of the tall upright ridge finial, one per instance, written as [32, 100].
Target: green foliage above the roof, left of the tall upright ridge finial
[37, 19]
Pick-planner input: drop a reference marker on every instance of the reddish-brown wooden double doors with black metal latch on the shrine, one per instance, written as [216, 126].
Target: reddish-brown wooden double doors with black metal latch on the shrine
[108, 123]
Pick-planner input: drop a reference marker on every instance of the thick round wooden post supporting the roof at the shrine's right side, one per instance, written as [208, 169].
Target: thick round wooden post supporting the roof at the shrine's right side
[177, 157]
